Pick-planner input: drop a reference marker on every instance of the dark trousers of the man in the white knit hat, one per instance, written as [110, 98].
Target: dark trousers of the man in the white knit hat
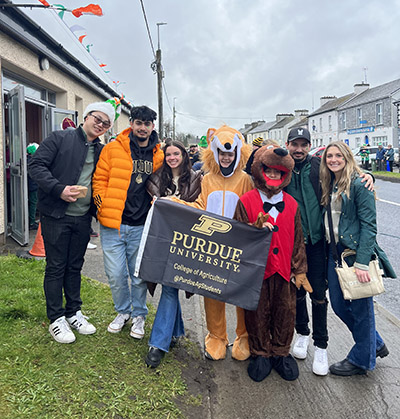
[65, 242]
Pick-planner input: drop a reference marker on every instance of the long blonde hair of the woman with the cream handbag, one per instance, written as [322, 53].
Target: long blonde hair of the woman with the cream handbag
[349, 171]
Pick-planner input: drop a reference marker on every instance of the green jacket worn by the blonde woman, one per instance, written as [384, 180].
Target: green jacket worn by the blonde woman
[357, 226]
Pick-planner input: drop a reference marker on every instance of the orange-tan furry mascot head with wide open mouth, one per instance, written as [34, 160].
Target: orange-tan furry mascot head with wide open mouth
[227, 140]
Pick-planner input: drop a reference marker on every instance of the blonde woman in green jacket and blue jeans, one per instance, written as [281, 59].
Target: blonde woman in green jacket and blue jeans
[354, 227]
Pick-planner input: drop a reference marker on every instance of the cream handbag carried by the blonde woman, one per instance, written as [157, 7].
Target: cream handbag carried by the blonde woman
[353, 289]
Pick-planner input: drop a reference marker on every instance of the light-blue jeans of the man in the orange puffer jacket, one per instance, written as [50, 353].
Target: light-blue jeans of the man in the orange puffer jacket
[120, 249]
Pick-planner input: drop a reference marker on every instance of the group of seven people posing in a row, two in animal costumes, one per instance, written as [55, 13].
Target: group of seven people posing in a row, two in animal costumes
[285, 191]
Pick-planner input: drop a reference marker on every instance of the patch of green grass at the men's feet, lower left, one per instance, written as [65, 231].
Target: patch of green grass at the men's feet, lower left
[101, 376]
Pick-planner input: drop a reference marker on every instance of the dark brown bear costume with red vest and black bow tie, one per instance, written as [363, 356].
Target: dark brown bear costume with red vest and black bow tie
[271, 326]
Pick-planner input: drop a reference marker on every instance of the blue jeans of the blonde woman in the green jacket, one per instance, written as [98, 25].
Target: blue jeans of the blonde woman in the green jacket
[359, 317]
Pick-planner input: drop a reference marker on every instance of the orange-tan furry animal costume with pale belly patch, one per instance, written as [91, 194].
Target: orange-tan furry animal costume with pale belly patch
[221, 189]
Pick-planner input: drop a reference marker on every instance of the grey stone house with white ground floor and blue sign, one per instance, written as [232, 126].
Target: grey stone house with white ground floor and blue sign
[371, 116]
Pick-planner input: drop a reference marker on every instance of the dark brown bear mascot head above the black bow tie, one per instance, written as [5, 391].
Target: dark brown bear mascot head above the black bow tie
[270, 181]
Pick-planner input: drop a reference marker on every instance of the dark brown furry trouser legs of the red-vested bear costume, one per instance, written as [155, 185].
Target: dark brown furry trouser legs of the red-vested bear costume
[271, 326]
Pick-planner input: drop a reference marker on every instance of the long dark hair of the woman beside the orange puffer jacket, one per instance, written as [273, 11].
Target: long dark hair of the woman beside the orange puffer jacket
[166, 183]
